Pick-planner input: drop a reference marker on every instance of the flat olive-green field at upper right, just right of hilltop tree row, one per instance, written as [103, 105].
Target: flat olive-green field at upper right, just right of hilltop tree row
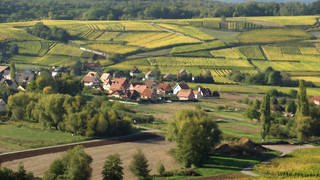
[273, 35]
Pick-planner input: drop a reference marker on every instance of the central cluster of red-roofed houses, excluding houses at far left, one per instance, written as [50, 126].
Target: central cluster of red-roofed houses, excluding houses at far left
[147, 89]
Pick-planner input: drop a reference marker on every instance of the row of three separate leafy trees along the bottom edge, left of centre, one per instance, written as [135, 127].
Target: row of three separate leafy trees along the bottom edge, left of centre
[75, 165]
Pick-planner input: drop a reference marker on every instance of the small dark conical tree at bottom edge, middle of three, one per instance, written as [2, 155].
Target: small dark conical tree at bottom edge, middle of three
[112, 169]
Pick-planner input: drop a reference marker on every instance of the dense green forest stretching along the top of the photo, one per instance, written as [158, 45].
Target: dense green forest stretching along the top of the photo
[21, 10]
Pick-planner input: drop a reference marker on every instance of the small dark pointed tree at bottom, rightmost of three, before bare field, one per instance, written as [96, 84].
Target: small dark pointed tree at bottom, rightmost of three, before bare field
[139, 165]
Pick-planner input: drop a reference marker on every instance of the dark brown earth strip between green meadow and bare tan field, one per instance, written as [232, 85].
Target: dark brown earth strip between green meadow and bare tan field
[61, 148]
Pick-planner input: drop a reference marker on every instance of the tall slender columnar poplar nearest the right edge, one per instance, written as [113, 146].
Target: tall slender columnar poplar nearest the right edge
[303, 119]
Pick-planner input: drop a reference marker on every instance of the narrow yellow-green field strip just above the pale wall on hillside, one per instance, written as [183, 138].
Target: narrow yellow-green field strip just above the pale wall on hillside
[113, 48]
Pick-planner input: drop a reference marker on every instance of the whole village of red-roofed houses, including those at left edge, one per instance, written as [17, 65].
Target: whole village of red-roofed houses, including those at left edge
[134, 87]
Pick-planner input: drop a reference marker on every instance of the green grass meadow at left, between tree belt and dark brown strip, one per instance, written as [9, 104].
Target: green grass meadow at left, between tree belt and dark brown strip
[17, 136]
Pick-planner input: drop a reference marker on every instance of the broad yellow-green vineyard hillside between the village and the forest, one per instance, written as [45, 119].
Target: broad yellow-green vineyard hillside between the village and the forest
[249, 45]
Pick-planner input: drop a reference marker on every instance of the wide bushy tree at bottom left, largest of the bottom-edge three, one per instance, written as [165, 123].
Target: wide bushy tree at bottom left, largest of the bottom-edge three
[74, 165]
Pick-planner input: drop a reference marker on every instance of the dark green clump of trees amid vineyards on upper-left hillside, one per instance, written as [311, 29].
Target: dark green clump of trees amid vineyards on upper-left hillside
[45, 32]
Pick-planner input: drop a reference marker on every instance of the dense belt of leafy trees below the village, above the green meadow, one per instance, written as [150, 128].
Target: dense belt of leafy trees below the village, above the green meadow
[96, 117]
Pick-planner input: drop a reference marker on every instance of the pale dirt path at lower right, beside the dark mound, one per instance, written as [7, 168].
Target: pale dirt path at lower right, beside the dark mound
[284, 149]
